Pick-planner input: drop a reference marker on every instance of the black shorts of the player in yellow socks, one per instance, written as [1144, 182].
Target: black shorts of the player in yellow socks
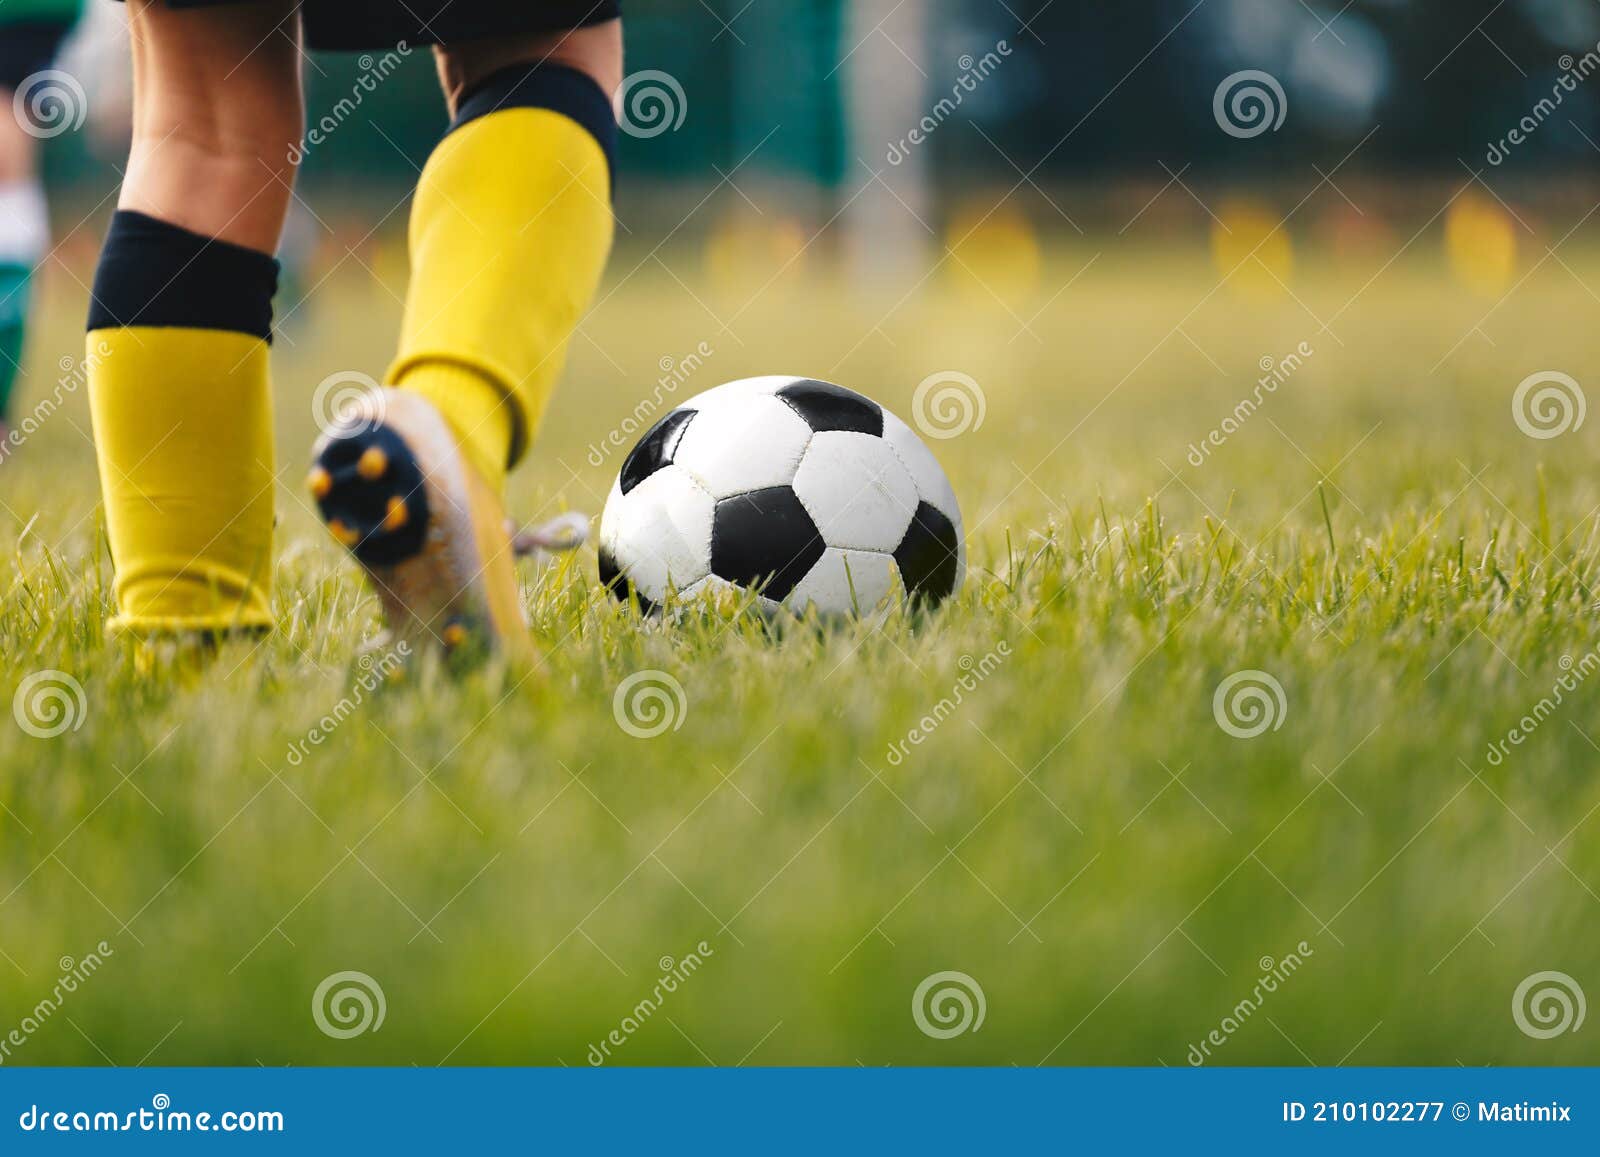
[351, 25]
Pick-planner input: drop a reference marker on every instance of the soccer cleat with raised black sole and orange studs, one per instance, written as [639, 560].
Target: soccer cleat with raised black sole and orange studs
[394, 487]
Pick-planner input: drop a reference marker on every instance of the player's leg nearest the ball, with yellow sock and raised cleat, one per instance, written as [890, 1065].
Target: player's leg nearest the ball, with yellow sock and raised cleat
[510, 234]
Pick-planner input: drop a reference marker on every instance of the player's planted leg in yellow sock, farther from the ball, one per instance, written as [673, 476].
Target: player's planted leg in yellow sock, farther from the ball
[182, 314]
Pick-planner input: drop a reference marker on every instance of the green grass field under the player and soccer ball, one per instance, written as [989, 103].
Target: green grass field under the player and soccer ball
[1079, 835]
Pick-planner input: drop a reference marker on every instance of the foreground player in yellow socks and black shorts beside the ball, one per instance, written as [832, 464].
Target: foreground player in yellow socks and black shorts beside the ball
[511, 226]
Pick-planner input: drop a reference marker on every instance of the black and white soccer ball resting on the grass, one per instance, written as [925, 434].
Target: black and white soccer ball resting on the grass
[802, 490]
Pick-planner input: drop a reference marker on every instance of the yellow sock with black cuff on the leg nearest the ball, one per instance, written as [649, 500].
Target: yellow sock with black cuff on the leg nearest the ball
[510, 234]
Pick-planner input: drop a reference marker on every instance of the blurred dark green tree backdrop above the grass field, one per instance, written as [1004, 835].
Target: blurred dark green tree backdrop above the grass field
[1087, 89]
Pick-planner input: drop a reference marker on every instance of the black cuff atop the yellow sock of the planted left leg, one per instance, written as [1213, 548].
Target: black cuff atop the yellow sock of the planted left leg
[154, 273]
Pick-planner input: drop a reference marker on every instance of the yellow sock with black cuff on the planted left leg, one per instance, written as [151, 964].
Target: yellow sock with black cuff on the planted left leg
[183, 426]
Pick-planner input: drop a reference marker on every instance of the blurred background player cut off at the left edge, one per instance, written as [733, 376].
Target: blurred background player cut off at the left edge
[31, 34]
